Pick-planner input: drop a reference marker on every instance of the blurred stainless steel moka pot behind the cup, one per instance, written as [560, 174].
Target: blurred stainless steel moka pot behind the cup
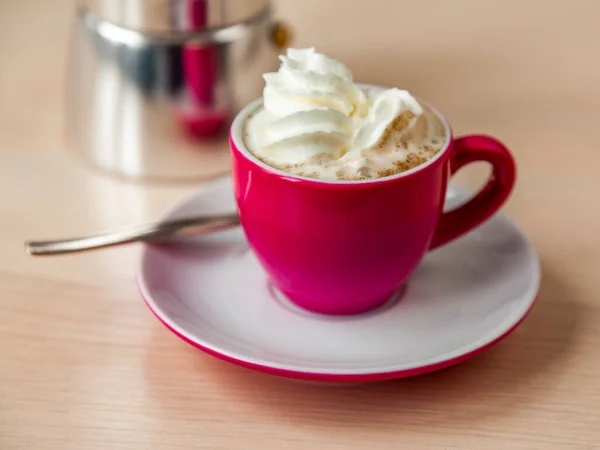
[153, 84]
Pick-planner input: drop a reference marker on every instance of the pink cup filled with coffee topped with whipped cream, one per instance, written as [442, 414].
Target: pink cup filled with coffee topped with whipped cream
[340, 187]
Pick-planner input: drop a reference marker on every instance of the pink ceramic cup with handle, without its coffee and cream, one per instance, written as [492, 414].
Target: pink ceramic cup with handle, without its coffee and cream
[345, 247]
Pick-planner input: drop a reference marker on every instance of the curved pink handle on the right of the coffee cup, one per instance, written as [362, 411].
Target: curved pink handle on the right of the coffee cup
[468, 149]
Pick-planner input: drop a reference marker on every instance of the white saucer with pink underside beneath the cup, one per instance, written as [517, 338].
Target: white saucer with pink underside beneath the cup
[465, 297]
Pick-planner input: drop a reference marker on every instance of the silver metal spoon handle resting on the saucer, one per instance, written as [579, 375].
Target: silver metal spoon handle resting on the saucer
[148, 233]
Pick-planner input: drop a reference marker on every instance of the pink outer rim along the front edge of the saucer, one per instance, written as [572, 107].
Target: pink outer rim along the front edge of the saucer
[334, 377]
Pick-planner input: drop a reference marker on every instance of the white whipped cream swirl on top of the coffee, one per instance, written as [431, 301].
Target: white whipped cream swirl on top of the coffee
[312, 108]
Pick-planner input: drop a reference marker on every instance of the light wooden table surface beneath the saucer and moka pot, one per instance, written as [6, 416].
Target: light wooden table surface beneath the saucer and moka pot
[84, 364]
